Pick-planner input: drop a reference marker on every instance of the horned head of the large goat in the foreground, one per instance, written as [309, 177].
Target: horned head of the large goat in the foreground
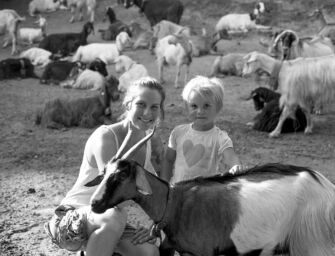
[121, 180]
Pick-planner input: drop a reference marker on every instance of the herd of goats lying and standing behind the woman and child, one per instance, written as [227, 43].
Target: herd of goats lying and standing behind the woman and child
[299, 70]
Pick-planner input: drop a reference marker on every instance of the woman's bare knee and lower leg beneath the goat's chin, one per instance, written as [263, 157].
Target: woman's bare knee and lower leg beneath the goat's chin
[105, 231]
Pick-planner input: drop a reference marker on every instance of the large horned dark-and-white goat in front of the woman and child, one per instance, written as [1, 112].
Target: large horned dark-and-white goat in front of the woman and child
[267, 209]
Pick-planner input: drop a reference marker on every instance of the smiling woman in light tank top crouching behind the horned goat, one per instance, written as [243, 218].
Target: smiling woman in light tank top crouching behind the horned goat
[74, 226]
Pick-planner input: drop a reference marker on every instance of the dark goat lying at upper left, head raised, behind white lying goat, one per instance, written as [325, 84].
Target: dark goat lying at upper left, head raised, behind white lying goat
[66, 43]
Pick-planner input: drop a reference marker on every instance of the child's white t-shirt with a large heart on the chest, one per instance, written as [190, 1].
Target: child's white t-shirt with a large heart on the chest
[197, 152]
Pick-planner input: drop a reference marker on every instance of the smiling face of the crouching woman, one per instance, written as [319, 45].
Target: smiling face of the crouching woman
[145, 108]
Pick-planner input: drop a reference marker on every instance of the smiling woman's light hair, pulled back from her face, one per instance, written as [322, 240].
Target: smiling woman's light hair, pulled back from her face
[144, 82]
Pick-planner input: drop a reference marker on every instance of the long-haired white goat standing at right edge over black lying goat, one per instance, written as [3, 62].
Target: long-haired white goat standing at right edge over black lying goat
[301, 82]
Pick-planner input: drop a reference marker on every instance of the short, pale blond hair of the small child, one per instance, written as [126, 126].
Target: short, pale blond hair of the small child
[206, 87]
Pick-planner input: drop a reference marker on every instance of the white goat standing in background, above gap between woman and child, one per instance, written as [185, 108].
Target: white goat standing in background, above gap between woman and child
[173, 50]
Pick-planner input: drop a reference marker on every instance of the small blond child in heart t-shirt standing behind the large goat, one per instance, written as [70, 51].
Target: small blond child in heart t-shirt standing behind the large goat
[196, 149]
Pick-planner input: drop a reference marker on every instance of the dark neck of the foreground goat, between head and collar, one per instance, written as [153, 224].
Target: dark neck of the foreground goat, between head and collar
[155, 205]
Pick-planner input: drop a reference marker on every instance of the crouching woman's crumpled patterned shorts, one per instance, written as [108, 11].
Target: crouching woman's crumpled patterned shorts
[70, 228]
